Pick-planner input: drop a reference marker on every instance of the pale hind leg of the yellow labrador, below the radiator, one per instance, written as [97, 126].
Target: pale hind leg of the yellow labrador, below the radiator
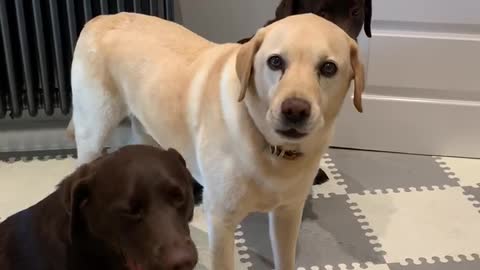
[97, 111]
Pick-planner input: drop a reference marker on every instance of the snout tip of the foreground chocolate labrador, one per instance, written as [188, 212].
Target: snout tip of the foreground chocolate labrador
[181, 258]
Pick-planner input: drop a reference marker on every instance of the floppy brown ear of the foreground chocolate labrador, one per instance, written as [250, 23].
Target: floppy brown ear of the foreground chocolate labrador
[75, 190]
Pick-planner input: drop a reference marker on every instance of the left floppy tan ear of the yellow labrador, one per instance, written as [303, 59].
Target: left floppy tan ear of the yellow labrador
[244, 61]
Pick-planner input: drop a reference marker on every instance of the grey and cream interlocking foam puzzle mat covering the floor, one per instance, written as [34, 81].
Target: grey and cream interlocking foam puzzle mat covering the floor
[380, 211]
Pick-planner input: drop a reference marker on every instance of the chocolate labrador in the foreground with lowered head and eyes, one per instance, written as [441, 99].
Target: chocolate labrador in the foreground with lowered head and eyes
[128, 210]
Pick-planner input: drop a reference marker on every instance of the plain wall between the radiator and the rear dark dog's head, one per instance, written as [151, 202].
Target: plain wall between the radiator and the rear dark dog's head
[225, 20]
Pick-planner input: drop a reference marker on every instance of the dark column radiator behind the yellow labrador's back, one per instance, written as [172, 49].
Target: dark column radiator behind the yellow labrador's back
[37, 40]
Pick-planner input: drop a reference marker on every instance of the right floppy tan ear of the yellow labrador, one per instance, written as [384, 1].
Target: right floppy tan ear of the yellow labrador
[358, 75]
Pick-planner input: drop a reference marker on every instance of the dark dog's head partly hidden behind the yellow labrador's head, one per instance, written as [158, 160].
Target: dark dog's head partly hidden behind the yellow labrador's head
[350, 15]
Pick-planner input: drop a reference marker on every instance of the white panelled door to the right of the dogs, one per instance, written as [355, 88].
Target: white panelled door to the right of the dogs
[423, 82]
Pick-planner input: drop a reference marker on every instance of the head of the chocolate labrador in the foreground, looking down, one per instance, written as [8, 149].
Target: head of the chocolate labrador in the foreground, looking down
[135, 205]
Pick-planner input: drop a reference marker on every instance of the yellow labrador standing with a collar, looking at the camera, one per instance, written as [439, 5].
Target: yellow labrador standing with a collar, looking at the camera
[251, 120]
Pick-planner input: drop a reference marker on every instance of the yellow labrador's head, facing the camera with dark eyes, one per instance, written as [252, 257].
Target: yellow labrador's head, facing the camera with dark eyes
[294, 75]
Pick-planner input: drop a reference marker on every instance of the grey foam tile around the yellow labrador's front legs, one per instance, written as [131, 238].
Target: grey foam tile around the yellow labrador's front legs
[332, 237]
